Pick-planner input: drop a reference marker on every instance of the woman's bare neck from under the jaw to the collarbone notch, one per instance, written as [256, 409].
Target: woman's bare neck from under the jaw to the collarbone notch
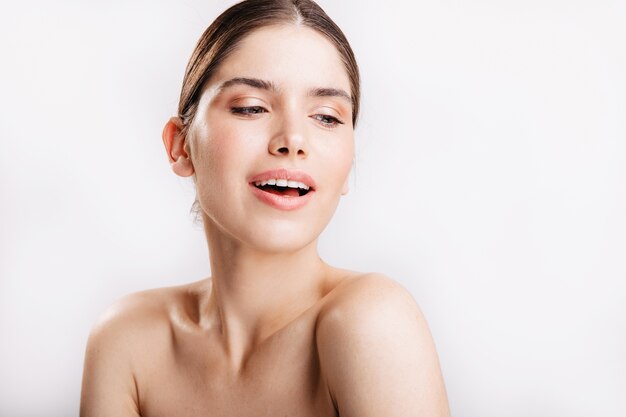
[256, 293]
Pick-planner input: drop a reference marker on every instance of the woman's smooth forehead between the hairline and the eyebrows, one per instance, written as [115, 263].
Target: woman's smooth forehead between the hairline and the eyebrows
[290, 56]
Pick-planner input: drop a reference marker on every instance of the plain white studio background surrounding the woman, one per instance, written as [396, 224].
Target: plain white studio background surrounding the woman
[490, 181]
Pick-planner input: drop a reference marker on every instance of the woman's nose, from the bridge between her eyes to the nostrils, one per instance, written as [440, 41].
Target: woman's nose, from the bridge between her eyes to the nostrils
[289, 137]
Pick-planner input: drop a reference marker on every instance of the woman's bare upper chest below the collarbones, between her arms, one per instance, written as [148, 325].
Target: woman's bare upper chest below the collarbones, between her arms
[192, 378]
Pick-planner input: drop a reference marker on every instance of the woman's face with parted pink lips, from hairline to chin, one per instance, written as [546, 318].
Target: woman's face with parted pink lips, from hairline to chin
[276, 112]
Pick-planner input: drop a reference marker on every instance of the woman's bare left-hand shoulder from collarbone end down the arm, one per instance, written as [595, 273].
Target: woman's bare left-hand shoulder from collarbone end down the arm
[124, 339]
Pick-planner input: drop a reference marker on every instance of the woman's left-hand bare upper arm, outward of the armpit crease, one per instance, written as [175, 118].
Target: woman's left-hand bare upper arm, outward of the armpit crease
[109, 387]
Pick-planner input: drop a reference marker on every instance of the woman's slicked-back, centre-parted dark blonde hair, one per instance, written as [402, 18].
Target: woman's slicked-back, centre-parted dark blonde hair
[222, 37]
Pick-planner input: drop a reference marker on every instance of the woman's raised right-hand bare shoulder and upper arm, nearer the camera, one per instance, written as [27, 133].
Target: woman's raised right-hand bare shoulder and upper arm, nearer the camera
[377, 353]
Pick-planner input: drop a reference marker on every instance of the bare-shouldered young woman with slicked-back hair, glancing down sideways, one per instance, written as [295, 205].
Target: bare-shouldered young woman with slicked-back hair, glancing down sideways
[265, 128]
